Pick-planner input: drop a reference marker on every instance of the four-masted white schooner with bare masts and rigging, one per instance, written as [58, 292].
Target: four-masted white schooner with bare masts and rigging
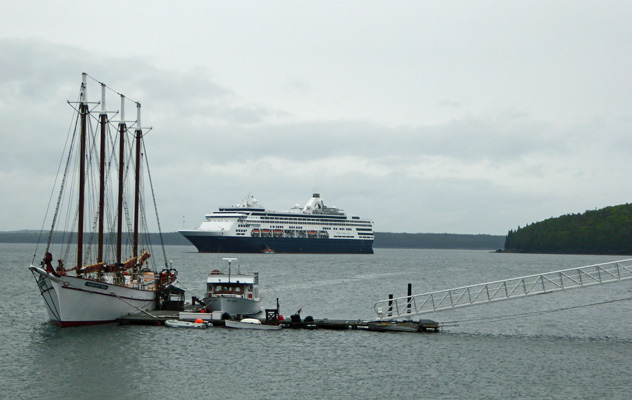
[111, 273]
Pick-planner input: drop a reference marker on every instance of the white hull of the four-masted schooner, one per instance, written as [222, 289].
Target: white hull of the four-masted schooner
[73, 301]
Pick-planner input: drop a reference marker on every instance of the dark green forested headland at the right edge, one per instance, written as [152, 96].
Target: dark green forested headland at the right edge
[604, 231]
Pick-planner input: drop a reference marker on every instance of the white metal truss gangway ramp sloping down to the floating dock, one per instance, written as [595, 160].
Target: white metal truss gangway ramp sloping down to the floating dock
[572, 278]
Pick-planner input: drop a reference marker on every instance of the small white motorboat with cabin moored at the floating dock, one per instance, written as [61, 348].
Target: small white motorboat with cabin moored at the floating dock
[233, 293]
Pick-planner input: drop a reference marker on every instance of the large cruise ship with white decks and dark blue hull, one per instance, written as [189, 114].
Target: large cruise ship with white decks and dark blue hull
[250, 228]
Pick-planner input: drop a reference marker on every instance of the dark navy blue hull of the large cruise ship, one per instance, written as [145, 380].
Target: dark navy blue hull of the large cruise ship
[231, 244]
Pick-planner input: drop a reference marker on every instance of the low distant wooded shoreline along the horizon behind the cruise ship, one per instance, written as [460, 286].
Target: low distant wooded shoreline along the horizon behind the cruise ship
[382, 240]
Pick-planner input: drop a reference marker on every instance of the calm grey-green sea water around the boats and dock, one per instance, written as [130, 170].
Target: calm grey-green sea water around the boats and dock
[583, 353]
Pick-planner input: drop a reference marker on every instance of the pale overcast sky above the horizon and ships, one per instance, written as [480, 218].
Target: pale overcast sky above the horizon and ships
[425, 116]
